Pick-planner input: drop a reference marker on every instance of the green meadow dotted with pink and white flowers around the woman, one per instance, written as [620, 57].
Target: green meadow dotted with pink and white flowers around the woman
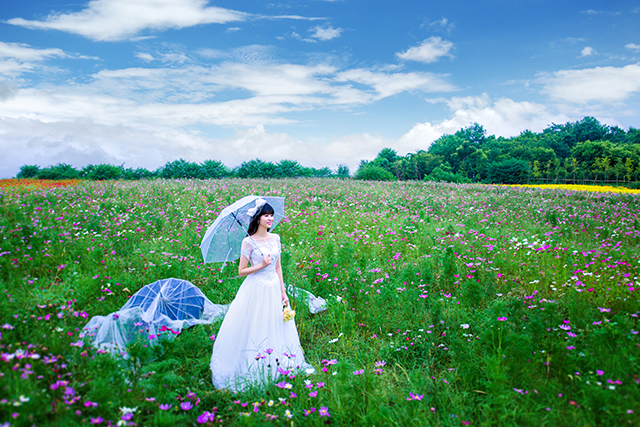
[448, 304]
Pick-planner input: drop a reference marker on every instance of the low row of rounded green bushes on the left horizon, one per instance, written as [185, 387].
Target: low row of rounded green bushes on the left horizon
[182, 169]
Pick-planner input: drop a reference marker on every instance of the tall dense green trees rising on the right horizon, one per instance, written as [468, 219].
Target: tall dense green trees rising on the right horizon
[575, 152]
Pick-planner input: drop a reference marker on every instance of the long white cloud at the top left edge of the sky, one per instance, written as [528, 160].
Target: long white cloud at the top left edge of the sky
[108, 20]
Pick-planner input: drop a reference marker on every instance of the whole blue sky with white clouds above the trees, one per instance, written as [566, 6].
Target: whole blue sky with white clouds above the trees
[143, 82]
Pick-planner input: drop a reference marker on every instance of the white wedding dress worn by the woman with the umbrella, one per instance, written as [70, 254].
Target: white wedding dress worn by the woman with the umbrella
[254, 344]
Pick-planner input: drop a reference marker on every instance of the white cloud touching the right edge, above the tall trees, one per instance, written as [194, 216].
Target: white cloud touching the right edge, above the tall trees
[599, 84]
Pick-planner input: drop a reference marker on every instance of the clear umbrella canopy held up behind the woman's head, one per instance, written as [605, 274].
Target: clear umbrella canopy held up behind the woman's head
[223, 238]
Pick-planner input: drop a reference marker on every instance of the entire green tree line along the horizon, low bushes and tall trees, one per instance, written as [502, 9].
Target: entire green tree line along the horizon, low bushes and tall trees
[585, 151]
